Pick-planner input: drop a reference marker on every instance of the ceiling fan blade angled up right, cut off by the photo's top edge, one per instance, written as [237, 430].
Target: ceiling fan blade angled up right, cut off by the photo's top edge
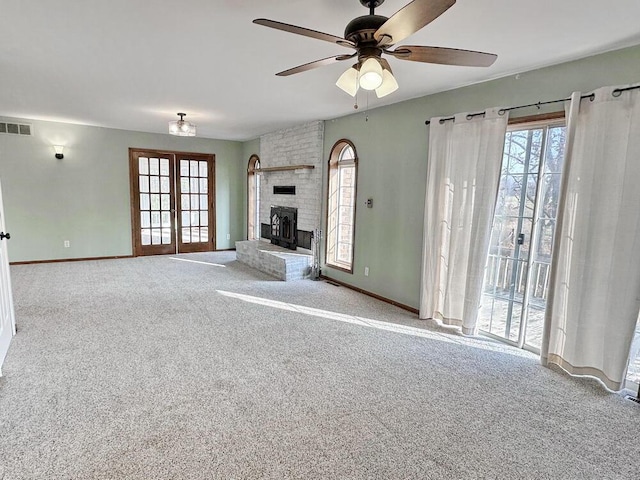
[409, 19]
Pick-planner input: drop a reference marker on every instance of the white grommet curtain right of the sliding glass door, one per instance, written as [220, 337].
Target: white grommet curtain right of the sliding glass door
[594, 293]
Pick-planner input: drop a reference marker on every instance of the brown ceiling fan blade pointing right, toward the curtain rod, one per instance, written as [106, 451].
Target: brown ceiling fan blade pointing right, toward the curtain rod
[443, 56]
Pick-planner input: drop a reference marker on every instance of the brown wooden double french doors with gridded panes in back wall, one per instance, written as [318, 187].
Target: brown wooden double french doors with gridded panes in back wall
[172, 202]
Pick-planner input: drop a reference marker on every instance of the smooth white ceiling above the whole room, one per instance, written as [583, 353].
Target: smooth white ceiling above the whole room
[132, 64]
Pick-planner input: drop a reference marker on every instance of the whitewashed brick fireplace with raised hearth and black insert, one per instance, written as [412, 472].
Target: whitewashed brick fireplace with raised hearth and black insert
[290, 202]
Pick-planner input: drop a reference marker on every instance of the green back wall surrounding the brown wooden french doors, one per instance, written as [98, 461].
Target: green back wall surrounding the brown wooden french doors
[85, 197]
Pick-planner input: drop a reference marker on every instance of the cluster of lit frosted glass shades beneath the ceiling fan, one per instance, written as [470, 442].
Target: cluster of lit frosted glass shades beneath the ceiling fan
[372, 74]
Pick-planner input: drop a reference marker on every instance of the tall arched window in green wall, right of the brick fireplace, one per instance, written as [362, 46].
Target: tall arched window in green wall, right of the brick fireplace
[341, 205]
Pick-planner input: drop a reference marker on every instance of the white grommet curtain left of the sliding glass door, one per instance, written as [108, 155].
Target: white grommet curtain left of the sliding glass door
[465, 157]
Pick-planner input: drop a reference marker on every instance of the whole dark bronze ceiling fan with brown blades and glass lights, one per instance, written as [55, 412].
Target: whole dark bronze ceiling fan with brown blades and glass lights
[372, 35]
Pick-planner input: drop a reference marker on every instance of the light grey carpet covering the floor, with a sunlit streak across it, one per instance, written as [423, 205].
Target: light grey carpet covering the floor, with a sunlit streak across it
[153, 368]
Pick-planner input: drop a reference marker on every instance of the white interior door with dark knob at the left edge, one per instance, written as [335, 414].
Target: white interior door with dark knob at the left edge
[7, 315]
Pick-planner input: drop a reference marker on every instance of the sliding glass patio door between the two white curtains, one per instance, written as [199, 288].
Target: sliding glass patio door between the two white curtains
[519, 259]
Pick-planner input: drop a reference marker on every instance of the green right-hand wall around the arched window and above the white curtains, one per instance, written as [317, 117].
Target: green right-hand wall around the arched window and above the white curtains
[392, 148]
